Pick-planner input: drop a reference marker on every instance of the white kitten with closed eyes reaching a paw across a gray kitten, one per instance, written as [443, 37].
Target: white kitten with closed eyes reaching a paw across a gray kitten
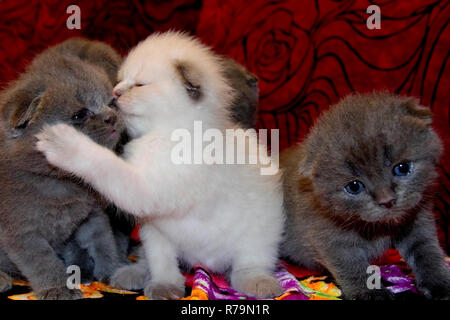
[222, 216]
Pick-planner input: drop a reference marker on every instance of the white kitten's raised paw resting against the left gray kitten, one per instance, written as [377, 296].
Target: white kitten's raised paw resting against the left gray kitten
[60, 144]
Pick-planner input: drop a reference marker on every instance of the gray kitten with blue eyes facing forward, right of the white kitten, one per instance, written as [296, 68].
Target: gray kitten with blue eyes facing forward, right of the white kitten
[360, 183]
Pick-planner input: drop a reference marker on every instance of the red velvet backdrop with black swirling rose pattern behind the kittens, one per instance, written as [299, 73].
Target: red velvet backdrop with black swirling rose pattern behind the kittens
[307, 54]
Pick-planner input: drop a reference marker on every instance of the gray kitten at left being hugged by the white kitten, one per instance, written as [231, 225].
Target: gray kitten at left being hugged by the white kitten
[48, 217]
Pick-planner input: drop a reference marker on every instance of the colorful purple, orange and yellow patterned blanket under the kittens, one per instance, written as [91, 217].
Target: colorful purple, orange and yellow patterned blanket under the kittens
[297, 283]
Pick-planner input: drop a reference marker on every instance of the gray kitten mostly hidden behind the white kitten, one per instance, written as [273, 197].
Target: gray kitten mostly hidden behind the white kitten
[243, 113]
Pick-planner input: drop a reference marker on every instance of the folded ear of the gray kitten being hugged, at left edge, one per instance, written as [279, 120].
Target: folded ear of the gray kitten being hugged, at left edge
[19, 110]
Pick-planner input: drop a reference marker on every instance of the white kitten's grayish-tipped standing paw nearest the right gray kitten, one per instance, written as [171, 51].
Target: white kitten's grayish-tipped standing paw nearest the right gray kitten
[259, 286]
